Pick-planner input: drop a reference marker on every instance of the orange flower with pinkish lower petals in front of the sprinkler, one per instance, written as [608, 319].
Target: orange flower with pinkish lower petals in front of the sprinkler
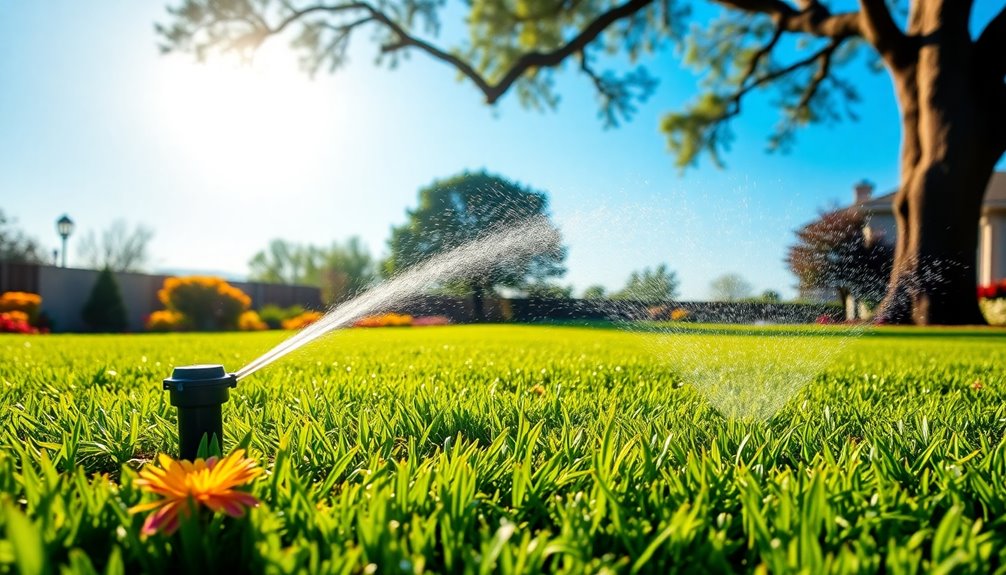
[185, 486]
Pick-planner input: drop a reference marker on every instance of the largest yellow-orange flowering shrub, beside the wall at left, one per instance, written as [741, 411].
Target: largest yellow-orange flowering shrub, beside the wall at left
[206, 303]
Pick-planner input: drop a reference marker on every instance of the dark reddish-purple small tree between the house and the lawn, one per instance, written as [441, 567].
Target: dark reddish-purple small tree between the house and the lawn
[832, 253]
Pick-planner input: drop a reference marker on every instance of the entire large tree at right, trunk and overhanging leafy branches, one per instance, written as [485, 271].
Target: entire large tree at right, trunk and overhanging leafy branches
[946, 72]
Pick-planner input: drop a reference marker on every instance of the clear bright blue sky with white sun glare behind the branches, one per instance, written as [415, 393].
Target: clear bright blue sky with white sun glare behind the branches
[217, 160]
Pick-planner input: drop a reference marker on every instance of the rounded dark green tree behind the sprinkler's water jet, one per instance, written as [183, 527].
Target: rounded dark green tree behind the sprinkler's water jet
[462, 209]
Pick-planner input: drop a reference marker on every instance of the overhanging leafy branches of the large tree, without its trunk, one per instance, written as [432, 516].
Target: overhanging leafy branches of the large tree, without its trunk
[520, 46]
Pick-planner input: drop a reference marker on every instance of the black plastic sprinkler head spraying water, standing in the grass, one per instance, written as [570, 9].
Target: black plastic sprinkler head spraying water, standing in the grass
[200, 392]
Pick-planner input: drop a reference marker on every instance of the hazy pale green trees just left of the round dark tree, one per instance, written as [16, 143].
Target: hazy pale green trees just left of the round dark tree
[342, 270]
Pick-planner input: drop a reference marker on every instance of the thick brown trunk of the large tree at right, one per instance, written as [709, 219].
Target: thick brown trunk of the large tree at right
[945, 170]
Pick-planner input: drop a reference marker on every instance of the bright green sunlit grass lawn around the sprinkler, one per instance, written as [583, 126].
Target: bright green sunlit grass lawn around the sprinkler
[520, 450]
